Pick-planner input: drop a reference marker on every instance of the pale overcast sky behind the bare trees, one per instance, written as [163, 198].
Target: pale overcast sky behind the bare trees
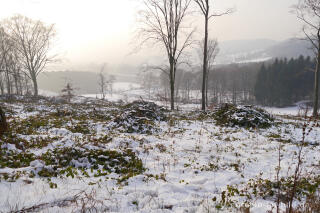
[101, 30]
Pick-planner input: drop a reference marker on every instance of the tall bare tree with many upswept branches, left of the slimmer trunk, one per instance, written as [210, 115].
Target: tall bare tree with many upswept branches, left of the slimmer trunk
[161, 22]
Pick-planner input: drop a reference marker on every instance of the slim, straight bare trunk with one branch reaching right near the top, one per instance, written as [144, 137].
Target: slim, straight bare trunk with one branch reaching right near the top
[204, 6]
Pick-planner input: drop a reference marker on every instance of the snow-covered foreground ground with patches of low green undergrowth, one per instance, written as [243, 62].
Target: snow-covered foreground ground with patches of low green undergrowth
[91, 157]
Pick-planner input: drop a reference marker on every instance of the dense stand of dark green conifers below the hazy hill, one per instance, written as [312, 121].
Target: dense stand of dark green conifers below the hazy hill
[285, 82]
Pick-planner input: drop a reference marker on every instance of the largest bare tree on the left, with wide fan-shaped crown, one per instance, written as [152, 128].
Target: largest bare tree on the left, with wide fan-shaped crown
[33, 41]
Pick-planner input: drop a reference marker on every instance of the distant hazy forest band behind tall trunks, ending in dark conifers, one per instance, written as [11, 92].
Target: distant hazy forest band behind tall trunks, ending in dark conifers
[278, 82]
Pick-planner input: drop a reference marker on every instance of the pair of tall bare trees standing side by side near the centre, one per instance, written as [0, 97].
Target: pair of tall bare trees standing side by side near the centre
[162, 22]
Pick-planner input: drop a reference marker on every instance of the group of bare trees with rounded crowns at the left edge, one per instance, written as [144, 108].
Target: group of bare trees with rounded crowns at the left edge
[24, 53]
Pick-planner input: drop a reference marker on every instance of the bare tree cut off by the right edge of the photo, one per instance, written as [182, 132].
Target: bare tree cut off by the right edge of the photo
[308, 11]
